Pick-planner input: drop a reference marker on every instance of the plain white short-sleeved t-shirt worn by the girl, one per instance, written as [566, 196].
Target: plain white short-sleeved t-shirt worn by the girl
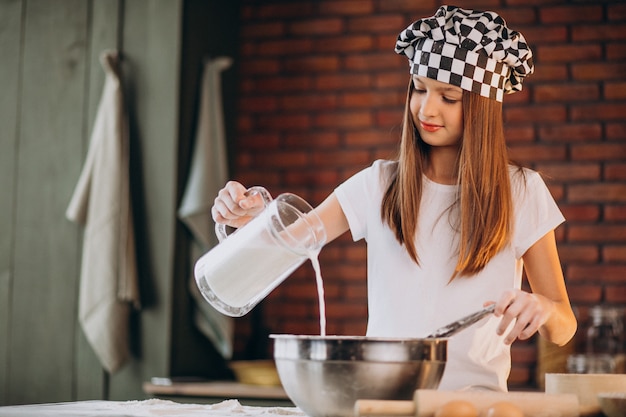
[407, 300]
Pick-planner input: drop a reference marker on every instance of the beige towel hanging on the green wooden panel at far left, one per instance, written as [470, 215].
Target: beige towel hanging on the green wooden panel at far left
[101, 203]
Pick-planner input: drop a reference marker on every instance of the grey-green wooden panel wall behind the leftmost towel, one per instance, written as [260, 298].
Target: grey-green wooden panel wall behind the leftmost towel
[51, 82]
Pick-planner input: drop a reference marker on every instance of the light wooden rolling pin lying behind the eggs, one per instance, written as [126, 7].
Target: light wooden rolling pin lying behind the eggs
[426, 402]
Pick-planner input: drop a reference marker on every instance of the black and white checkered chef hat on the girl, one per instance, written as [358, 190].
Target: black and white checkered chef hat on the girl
[471, 49]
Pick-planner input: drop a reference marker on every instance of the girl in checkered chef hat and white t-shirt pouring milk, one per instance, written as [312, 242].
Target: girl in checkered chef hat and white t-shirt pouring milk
[451, 224]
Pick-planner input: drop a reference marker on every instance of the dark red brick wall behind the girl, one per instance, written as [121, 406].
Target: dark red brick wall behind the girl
[321, 97]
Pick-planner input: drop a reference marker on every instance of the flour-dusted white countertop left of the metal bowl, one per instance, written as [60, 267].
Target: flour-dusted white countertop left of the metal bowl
[146, 408]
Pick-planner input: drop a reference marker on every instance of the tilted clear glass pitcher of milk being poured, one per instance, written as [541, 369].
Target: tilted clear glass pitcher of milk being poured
[252, 261]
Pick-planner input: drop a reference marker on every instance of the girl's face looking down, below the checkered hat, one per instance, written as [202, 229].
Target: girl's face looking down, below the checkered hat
[437, 111]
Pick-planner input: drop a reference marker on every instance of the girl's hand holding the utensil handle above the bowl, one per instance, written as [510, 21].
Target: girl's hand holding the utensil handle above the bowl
[529, 311]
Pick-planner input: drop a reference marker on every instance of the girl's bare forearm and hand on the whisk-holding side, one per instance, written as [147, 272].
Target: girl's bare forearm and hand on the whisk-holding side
[547, 309]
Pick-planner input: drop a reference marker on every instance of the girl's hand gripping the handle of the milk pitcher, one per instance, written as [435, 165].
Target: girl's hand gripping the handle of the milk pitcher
[234, 207]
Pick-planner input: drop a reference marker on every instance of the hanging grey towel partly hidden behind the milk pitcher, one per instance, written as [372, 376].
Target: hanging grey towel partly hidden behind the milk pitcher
[209, 173]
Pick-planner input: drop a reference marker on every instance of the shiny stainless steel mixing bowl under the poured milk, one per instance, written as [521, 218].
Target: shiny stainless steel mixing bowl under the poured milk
[325, 375]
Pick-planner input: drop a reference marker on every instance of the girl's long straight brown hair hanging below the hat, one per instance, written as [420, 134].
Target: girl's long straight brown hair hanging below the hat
[484, 195]
